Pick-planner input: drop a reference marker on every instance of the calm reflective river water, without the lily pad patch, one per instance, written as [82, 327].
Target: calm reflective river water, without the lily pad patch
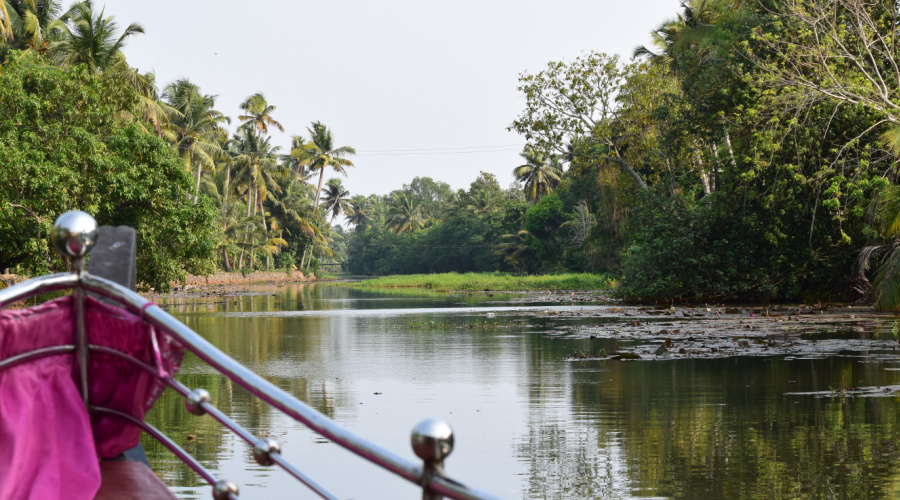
[529, 423]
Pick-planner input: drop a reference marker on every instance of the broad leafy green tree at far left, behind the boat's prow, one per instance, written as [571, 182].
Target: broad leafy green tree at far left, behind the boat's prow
[63, 148]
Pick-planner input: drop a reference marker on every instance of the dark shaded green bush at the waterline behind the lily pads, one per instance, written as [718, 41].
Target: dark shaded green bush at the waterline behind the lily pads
[715, 250]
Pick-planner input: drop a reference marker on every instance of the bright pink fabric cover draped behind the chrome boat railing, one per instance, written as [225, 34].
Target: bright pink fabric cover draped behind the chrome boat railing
[49, 445]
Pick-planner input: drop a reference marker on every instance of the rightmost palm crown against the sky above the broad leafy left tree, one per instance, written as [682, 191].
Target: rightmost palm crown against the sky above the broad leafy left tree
[90, 38]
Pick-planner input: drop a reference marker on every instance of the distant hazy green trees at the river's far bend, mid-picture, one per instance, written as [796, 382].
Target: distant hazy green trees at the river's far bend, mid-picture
[426, 228]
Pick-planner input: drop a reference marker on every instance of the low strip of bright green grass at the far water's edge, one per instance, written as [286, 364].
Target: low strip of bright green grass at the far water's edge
[494, 282]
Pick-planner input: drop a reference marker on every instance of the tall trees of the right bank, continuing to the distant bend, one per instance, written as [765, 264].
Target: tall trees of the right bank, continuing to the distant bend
[736, 158]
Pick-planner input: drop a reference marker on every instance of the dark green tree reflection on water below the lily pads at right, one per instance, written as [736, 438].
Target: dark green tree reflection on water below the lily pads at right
[718, 429]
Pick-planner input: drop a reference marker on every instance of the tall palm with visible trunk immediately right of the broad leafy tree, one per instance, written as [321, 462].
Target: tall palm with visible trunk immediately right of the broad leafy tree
[195, 126]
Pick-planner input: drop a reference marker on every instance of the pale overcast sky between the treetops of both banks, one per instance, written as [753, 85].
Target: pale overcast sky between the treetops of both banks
[419, 88]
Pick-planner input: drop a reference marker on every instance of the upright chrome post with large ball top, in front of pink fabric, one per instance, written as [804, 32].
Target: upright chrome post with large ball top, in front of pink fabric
[75, 234]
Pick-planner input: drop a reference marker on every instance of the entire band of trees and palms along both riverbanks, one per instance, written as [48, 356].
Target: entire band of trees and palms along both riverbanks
[747, 153]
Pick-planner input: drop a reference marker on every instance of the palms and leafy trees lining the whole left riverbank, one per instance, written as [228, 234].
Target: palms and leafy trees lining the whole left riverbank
[81, 129]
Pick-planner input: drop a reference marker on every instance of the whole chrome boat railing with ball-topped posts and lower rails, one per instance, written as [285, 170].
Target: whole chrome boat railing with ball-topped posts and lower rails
[74, 234]
